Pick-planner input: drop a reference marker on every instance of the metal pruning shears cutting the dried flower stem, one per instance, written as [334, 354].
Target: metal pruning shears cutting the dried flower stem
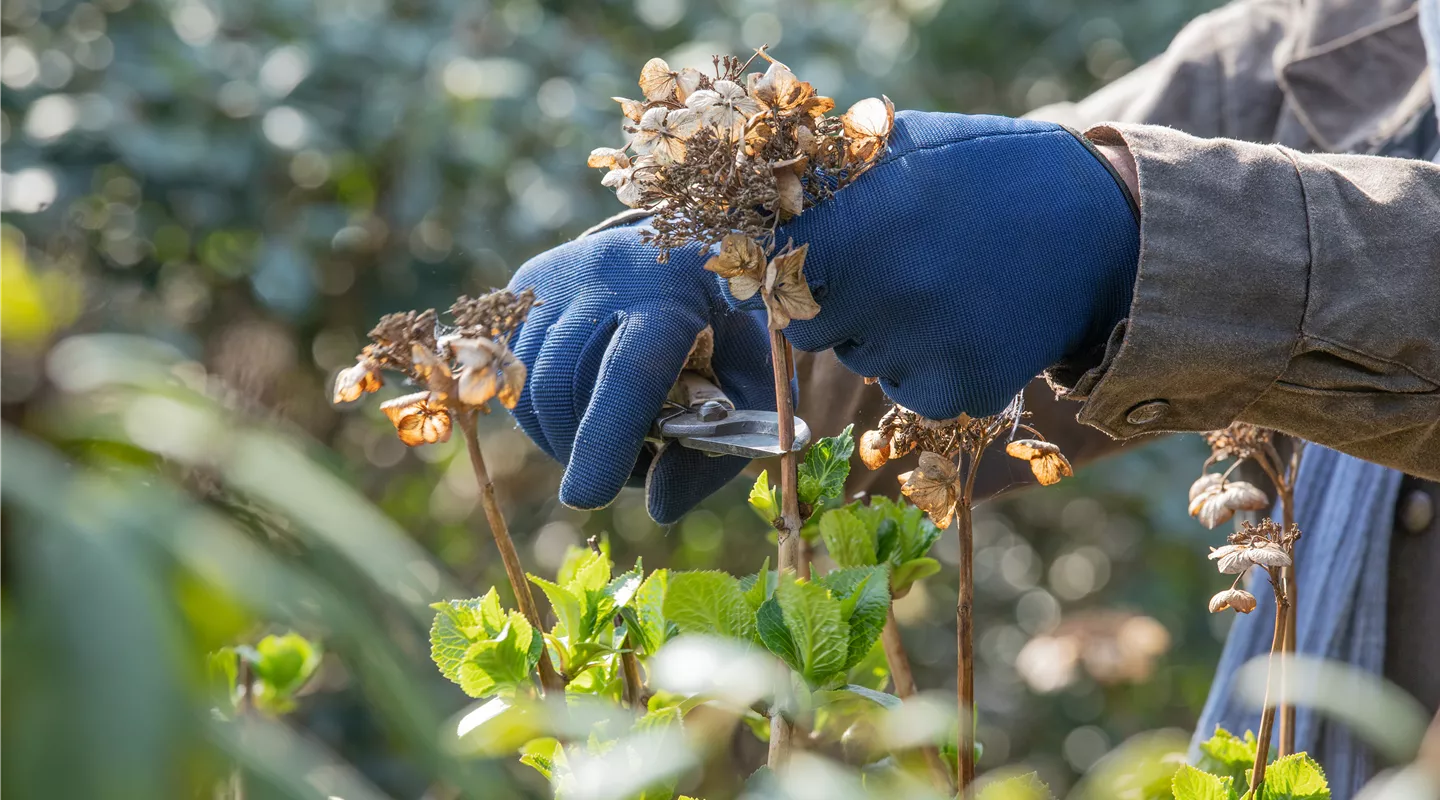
[698, 415]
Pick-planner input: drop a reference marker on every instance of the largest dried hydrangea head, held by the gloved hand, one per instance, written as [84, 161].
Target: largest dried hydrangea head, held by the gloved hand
[725, 159]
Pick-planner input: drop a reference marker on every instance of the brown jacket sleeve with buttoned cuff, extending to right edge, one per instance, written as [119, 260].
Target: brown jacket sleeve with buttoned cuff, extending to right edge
[1292, 291]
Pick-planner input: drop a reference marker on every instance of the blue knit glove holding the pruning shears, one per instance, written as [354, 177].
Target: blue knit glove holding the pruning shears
[604, 347]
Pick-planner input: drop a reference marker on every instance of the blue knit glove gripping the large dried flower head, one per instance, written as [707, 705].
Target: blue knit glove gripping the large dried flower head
[980, 253]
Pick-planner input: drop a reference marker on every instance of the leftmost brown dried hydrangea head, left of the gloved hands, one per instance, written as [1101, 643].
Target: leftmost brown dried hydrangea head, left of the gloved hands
[463, 368]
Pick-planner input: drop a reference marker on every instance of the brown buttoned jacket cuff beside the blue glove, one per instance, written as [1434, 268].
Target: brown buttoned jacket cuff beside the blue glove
[1220, 293]
